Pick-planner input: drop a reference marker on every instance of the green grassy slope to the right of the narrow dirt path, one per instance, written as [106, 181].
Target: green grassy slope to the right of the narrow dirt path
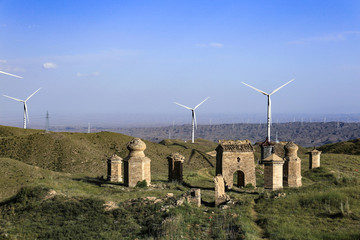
[317, 210]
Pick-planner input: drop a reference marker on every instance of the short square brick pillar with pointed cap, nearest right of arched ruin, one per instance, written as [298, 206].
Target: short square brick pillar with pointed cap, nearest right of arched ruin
[273, 172]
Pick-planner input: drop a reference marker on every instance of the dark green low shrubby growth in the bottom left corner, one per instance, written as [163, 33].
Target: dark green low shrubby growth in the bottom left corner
[28, 216]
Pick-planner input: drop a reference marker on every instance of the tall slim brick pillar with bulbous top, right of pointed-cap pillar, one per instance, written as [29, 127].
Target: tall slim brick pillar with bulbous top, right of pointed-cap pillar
[292, 166]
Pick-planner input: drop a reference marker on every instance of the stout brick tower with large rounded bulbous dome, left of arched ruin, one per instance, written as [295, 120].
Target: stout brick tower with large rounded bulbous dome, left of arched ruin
[136, 164]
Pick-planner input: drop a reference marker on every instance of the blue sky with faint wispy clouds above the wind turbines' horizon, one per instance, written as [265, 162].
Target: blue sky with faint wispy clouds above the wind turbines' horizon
[112, 58]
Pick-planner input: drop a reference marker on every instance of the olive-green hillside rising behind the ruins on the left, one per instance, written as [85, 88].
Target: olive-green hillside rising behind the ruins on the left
[88, 153]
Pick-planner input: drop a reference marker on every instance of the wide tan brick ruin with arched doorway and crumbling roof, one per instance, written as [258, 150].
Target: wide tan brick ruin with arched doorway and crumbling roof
[236, 157]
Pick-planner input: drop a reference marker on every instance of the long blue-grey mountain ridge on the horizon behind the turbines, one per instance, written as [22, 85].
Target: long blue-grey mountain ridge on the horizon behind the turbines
[305, 134]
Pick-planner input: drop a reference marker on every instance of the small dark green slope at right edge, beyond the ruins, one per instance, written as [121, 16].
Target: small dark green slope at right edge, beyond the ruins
[348, 147]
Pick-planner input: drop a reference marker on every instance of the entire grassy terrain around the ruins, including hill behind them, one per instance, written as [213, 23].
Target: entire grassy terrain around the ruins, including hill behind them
[72, 205]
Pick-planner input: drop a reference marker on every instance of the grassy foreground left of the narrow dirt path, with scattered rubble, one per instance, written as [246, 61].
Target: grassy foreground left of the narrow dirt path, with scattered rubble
[78, 205]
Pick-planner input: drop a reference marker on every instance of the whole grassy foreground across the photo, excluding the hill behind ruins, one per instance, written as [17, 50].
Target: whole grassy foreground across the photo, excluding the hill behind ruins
[66, 206]
